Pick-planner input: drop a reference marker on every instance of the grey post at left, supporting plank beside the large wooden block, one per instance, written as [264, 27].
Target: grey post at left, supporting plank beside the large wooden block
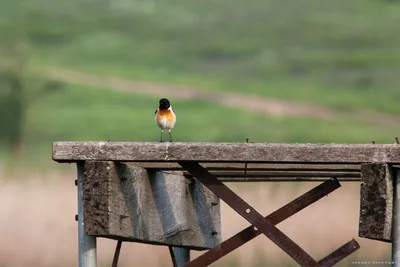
[87, 244]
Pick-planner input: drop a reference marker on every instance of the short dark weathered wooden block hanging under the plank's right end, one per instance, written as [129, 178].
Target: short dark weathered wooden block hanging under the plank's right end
[376, 203]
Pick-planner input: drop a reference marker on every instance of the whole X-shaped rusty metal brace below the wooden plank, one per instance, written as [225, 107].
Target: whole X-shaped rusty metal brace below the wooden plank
[265, 225]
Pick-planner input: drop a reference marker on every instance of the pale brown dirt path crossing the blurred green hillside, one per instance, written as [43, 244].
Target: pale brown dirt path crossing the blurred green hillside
[230, 99]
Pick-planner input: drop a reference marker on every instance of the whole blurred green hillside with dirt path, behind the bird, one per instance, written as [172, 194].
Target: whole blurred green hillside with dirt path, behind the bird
[269, 70]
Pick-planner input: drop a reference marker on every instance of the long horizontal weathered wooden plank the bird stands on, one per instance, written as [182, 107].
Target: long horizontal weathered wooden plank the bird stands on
[226, 152]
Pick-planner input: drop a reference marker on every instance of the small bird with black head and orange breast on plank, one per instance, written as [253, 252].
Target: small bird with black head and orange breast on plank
[165, 117]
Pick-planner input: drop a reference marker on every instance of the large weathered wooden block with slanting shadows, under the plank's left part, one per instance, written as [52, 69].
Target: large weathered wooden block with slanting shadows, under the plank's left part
[129, 203]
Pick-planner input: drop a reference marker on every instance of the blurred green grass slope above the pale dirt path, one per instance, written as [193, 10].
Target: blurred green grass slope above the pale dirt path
[343, 55]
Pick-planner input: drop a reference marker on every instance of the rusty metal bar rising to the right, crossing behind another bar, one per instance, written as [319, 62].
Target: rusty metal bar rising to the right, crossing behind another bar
[276, 217]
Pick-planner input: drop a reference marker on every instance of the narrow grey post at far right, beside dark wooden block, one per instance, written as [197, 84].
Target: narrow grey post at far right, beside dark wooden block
[396, 219]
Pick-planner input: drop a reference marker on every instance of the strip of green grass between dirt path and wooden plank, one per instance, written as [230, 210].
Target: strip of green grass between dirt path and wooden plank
[82, 113]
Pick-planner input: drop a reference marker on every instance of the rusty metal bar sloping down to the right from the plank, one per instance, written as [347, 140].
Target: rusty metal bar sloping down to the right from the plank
[250, 214]
